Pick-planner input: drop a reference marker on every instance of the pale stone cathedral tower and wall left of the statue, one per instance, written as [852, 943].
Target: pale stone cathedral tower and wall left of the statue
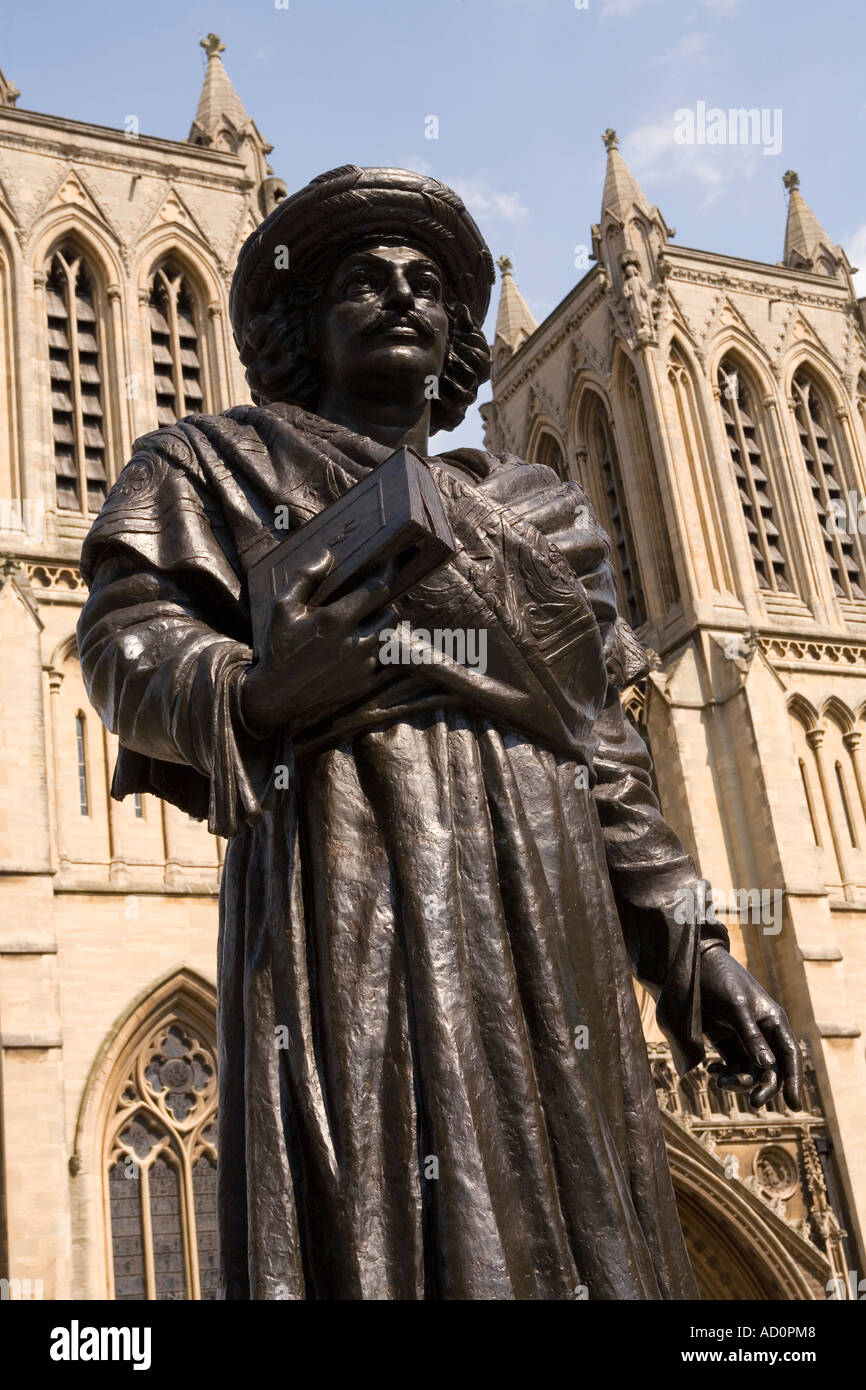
[116, 256]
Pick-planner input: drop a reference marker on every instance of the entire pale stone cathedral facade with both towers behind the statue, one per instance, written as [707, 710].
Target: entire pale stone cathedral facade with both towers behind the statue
[715, 412]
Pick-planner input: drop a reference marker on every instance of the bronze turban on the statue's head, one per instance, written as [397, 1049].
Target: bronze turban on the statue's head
[347, 206]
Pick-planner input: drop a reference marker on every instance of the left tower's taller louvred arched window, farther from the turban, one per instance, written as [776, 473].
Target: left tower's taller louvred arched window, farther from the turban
[77, 384]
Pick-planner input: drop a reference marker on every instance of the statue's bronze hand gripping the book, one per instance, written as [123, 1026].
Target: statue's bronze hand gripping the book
[316, 658]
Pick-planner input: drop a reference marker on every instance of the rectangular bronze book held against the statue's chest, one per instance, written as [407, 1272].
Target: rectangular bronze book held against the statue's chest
[395, 514]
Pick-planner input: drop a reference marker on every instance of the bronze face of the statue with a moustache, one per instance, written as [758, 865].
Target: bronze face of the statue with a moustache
[383, 327]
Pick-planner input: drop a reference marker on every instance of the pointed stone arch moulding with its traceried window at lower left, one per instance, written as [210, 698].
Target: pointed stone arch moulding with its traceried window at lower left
[148, 1128]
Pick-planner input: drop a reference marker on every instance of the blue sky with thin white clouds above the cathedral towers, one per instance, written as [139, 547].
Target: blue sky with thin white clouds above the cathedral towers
[522, 90]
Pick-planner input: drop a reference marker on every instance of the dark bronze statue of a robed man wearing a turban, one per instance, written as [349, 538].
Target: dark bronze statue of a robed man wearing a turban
[440, 879]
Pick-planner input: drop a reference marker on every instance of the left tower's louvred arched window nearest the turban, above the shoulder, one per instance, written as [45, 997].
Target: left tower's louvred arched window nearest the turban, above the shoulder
[177, 343]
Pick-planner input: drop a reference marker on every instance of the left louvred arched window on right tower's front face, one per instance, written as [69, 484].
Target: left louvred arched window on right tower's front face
[749, 444]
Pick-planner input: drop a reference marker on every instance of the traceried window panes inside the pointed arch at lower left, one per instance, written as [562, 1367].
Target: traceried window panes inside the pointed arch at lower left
[162, 1168]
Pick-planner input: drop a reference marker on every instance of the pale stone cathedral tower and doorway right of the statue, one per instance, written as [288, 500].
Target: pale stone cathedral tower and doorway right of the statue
[715, 412]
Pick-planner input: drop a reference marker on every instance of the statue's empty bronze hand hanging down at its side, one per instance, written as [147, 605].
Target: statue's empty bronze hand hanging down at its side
[751, 1032]
